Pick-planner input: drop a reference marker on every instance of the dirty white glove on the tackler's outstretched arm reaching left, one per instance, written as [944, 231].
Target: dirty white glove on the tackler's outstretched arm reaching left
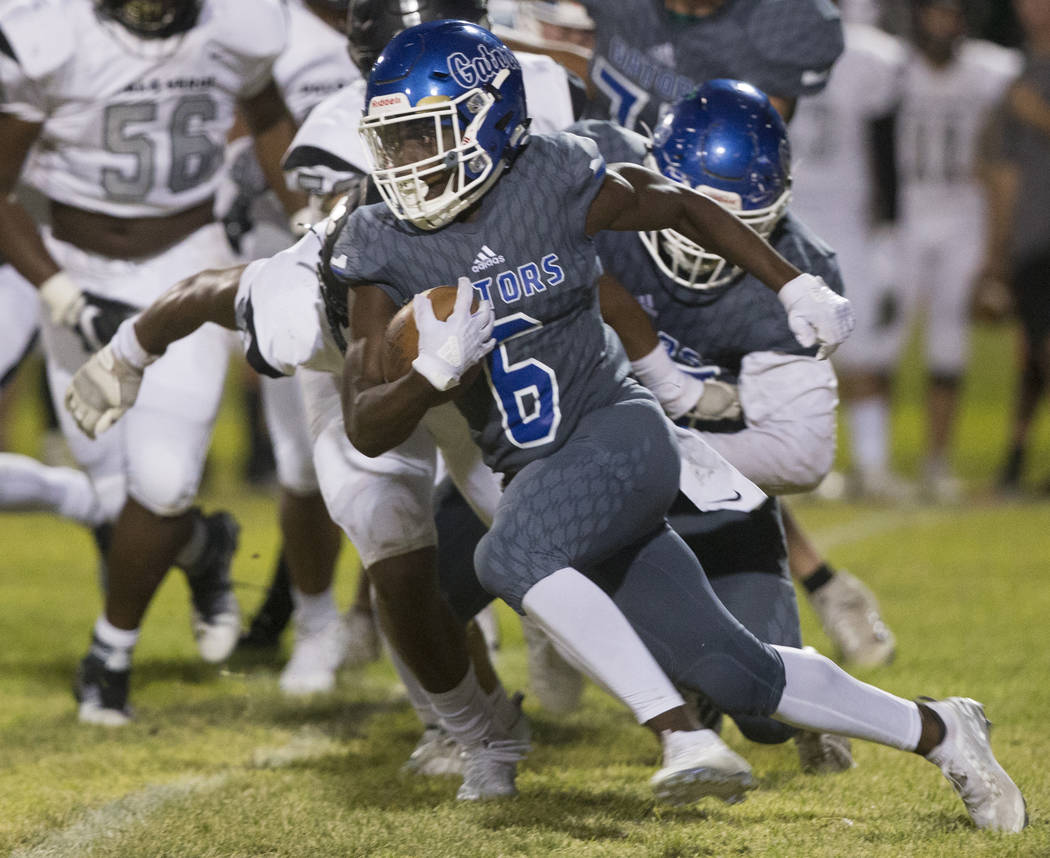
[108, 385]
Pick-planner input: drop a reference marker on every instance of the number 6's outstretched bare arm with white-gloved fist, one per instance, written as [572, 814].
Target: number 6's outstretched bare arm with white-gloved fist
[637, 199]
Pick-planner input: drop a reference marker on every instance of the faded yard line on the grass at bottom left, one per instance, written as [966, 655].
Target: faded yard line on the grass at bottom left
[135, 809]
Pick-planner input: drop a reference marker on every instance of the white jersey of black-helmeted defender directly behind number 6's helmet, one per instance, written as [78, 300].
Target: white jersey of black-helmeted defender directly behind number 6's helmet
[332, 127]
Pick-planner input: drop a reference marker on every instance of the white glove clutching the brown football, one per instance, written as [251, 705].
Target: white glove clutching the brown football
[449, 349]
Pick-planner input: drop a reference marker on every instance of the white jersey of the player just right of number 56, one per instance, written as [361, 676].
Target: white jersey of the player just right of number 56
[316, 64]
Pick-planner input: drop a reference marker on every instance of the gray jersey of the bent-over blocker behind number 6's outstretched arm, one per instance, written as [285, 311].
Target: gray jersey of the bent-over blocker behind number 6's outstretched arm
[716, 327]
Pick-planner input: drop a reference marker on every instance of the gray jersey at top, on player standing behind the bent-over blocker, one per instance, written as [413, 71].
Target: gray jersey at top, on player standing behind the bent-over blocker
[646, 58]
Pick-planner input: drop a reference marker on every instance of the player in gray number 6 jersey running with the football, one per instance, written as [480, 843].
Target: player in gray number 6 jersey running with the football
[590, 465]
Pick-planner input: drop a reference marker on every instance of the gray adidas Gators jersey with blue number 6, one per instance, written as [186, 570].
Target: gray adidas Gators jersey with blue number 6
[527, 252]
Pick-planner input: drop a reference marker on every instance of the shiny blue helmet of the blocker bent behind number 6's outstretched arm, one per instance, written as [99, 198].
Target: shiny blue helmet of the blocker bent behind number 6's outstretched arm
[727, 141]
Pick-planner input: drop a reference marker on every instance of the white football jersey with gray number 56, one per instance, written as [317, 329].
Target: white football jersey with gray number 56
[133, 128]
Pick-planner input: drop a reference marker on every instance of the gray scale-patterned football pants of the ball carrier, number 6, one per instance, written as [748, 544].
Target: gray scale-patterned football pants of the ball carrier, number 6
[598, 505]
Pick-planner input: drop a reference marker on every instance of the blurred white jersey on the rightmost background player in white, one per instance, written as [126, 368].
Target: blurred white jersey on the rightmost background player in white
[941, 115]
